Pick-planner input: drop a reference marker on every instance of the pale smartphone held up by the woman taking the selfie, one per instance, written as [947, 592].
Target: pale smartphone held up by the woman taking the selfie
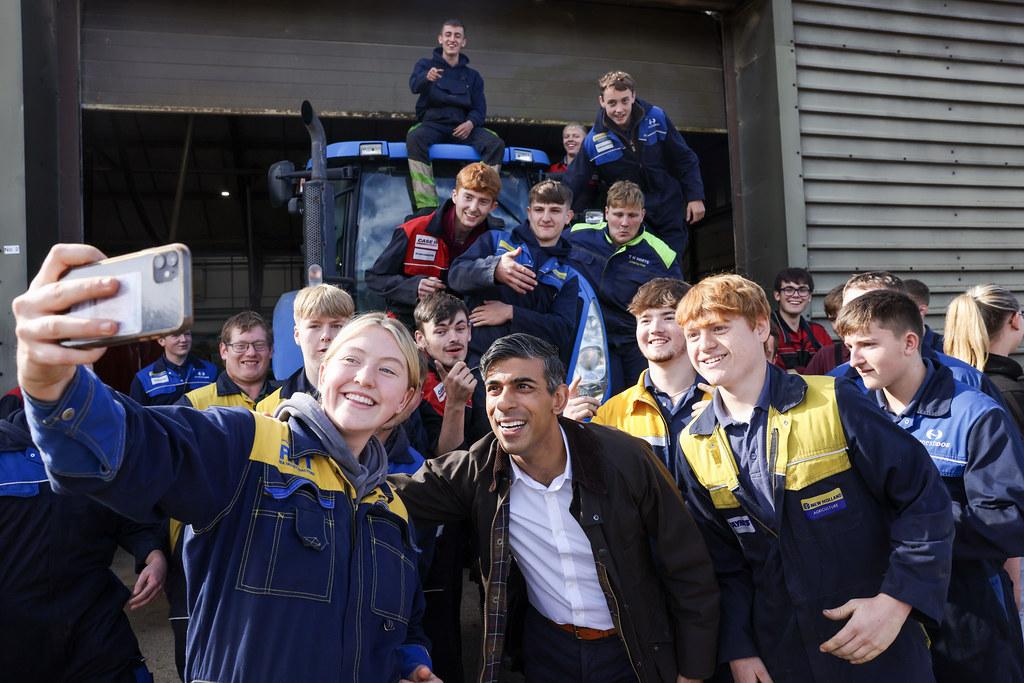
[155, 297]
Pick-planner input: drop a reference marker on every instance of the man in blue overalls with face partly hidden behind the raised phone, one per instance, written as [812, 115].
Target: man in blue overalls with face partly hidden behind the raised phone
[174, 374]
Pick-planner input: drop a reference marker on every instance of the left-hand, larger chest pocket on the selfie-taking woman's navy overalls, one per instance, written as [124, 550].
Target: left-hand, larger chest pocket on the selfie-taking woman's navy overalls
[289, 549]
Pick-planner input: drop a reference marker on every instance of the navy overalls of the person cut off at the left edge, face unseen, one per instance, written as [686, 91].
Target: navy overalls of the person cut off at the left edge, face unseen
[62, 609]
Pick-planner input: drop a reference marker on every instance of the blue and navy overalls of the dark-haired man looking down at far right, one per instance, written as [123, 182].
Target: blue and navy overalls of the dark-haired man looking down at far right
[980, 457]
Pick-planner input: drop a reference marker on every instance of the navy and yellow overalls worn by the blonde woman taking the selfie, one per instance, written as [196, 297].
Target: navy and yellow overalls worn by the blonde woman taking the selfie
[291, 576]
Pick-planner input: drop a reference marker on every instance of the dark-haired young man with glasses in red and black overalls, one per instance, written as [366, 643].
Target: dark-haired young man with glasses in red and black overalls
[800, 339]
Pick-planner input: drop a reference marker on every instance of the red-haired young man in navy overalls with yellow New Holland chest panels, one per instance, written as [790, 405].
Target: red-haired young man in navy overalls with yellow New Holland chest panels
[829, 530]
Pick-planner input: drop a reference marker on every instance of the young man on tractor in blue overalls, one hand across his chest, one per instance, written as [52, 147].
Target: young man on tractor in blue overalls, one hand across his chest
[521, 281]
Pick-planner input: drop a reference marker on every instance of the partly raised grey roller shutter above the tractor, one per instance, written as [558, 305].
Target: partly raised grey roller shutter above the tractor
[540, 60]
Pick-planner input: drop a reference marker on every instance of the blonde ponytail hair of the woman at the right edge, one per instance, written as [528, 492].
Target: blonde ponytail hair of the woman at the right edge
[973, 319]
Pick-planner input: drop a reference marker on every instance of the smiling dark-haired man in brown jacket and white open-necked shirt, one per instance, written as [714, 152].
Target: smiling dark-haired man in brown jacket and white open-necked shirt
[619, 584]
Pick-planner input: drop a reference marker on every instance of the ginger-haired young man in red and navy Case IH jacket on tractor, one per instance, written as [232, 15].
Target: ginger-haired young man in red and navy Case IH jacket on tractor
[415, 265]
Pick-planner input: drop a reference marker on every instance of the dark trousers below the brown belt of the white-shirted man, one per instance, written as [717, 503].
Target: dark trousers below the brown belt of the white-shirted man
[551, 656]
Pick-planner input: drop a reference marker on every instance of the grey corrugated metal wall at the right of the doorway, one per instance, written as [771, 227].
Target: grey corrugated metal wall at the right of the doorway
[912, 130]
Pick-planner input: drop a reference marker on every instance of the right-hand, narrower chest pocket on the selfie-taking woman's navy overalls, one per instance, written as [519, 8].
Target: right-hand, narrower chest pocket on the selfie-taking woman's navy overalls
[395, 580]
